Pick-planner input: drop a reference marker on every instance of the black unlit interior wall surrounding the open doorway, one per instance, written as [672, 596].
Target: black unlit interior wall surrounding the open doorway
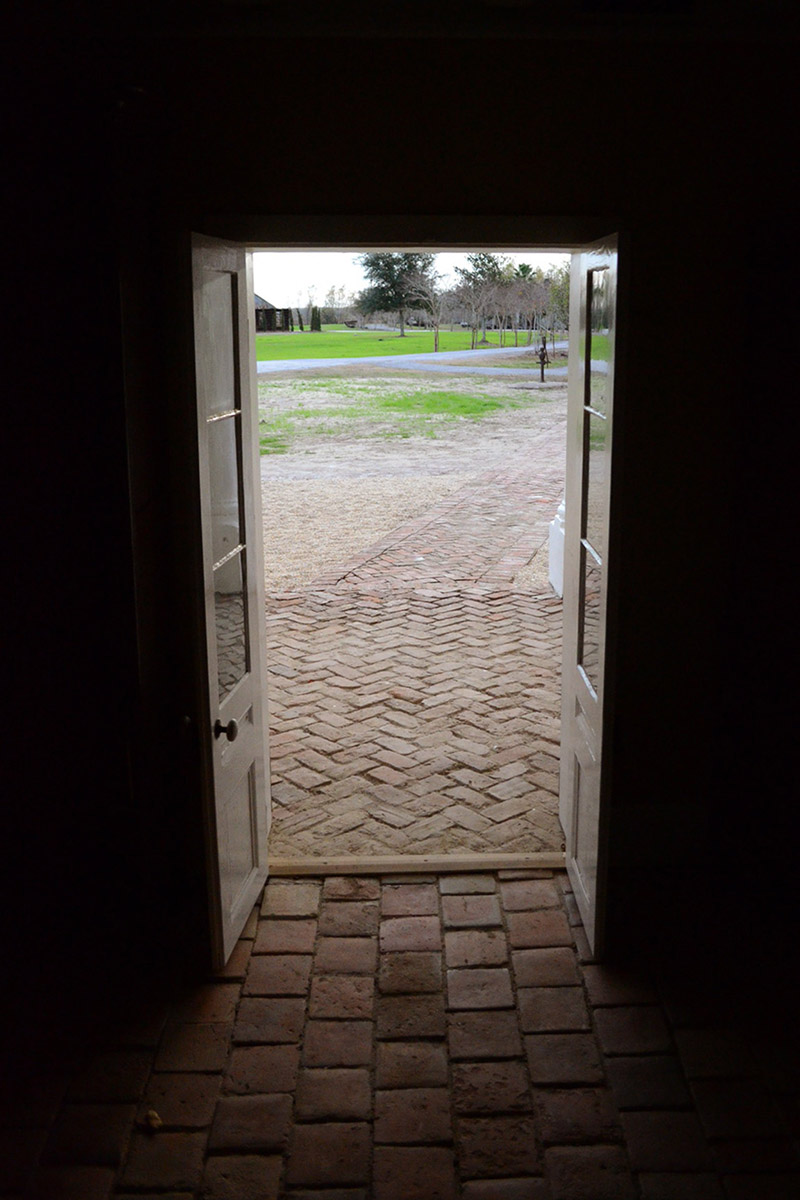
[672, 142]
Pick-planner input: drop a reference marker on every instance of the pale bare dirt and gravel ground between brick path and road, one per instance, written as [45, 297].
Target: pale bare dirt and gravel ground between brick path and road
[346, 482]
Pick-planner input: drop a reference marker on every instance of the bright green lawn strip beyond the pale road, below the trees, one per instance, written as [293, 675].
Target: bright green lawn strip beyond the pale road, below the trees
[338, 343]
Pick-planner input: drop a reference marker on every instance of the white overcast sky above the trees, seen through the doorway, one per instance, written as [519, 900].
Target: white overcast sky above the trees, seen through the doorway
[286, 278]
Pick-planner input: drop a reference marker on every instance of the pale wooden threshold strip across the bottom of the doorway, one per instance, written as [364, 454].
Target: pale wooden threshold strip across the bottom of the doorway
[417, 865]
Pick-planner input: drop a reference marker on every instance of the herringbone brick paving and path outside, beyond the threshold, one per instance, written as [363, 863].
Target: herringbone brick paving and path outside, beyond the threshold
[414, 693]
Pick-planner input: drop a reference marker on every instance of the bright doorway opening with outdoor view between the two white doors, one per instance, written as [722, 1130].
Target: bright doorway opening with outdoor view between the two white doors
[414, 688]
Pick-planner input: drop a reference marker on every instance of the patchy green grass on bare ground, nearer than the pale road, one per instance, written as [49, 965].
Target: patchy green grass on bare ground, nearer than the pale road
[297, 411]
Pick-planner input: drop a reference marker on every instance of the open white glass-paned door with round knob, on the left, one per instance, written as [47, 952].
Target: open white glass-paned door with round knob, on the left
[238, 808]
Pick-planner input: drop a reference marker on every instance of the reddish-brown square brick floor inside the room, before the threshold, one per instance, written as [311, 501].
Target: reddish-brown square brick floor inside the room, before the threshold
[411, 1040]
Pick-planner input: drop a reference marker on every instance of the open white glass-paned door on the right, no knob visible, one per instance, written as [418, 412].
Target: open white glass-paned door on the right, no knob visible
[593, 305]
